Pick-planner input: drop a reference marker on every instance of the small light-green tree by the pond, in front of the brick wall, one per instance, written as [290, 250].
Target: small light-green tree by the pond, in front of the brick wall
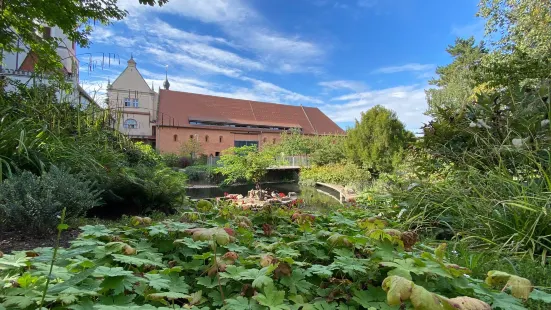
[245, 163]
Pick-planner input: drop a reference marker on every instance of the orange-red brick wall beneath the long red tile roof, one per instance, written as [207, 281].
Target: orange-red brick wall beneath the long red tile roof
[169, 139]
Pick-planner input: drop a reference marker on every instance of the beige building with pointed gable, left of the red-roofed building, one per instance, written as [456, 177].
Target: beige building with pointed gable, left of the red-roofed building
[134, 104]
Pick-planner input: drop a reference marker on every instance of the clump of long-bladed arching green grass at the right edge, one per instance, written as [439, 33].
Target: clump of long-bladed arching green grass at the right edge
[495, 208]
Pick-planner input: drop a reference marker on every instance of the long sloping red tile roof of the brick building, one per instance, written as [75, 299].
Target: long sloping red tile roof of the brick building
[179, 108]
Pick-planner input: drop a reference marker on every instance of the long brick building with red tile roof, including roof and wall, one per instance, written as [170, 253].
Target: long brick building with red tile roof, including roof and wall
[219, 123]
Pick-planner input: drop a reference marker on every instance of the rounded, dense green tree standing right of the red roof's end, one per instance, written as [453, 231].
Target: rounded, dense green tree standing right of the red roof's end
[378, 140]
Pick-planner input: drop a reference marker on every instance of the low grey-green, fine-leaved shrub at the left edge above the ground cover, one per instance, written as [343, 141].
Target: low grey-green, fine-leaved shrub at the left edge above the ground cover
[32, 203]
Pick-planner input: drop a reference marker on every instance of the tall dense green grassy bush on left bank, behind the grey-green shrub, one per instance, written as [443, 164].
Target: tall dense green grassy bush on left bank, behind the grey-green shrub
[37, 131]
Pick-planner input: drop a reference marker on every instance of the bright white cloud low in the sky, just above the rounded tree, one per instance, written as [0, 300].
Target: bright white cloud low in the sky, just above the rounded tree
[407, 101]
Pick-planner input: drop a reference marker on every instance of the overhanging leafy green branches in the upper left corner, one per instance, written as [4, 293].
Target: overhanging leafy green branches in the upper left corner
[21, 20]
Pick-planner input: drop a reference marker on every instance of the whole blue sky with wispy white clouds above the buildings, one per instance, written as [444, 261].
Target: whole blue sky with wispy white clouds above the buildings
[341, 56]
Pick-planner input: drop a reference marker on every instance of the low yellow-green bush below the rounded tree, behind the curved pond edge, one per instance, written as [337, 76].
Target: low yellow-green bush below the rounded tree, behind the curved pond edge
[345, 174]
